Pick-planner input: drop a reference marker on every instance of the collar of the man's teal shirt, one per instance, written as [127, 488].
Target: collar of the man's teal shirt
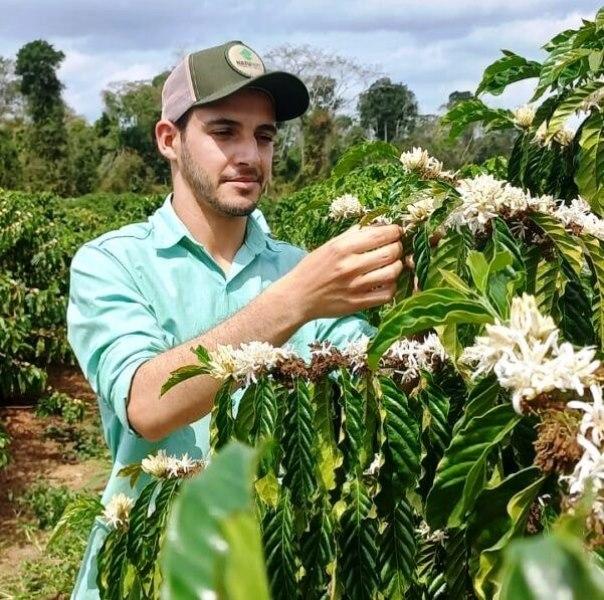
[169, 230]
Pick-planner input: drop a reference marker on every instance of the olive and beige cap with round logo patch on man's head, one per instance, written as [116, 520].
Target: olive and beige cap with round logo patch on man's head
[214, 73]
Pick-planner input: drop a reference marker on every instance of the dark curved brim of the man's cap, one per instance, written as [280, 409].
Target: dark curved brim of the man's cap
[289, 92]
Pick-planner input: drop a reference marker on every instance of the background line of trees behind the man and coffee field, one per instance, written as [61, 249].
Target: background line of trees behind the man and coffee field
[46, 146]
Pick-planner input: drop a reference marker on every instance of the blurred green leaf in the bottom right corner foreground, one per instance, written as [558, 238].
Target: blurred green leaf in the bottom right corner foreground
[550, 567]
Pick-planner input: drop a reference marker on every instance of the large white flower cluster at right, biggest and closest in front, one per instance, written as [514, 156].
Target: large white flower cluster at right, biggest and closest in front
[527, 357]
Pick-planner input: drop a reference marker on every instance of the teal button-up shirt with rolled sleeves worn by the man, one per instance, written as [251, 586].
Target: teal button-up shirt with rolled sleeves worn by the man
[148, 287]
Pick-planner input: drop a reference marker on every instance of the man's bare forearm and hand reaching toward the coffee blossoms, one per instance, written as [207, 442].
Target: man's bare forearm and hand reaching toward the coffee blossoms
[355, 270]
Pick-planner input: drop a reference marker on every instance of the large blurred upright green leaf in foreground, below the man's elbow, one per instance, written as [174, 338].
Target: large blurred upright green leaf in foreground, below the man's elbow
[212, 545]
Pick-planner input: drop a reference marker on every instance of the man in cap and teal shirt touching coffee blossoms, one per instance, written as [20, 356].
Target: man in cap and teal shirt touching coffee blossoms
[200, 272]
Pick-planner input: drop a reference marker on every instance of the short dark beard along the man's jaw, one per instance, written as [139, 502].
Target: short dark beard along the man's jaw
[205, 190]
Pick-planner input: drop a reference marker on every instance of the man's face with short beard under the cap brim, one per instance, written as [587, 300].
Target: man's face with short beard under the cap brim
[226, 152]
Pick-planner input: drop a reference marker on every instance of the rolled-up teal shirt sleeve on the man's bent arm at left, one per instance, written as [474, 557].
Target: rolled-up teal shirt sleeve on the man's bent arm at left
[111, 327]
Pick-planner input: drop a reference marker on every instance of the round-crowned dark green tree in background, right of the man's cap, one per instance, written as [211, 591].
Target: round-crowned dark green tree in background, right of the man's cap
[389, 109]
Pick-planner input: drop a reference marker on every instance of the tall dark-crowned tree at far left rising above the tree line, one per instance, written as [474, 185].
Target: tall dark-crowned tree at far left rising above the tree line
[46, 161]
